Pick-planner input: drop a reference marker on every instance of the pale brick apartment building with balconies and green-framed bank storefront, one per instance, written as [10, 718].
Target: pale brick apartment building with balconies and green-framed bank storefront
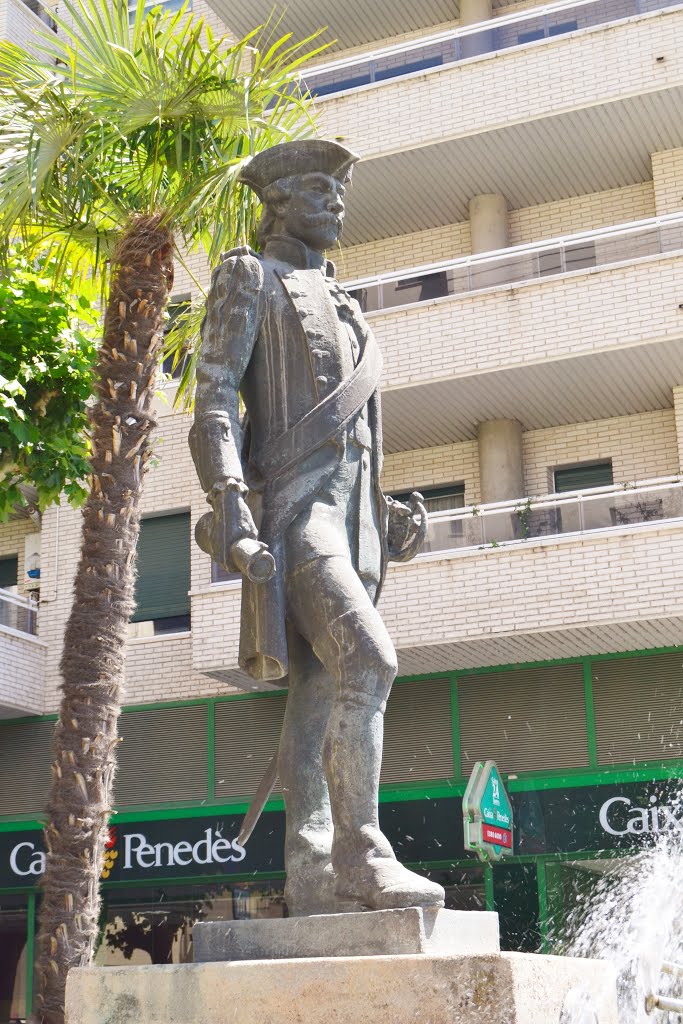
[516, 236]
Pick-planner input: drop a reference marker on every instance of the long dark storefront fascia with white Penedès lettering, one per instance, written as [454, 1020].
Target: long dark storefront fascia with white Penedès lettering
[585, 819]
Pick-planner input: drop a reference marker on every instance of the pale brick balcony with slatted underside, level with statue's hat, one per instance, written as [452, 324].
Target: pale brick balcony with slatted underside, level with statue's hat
[522, 121]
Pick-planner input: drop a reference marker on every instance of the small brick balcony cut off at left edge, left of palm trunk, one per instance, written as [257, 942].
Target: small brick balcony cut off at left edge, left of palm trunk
[22, 658]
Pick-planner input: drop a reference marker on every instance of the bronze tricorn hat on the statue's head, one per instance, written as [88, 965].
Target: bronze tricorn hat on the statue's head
[303, 157]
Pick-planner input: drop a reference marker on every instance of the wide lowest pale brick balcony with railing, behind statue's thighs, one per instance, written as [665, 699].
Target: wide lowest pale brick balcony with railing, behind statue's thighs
[538, 579]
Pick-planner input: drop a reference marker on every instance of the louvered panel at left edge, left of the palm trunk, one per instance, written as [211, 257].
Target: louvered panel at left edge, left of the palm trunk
[25, 767]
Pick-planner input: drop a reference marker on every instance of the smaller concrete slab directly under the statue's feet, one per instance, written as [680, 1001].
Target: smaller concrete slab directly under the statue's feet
[376, 933]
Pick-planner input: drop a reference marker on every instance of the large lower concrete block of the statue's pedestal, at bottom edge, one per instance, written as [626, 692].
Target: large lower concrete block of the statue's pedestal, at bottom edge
[495, 989]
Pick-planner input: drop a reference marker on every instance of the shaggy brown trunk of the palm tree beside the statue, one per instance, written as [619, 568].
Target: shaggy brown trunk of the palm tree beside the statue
[93, 663]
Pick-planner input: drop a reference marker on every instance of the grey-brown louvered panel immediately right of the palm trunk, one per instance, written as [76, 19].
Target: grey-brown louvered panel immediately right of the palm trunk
[163, 756]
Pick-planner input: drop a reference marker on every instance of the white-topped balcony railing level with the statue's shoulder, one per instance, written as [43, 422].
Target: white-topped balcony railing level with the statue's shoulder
[520, 264]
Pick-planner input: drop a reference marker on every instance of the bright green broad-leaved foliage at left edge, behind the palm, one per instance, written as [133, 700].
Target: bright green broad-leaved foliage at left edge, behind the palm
[47, 359]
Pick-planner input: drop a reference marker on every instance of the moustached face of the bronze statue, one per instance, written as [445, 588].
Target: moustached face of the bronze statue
[315, 212]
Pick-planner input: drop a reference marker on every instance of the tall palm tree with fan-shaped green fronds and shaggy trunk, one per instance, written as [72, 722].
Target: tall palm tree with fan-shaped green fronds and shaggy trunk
[131, 132]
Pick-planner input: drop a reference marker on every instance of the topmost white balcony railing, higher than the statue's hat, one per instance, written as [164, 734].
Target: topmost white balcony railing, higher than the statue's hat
[461, 45]
